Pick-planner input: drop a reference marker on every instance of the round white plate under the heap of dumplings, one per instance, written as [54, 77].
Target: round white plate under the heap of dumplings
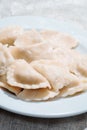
[51, 109]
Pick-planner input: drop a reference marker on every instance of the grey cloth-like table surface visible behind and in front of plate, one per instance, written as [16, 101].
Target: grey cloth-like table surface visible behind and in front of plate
[73, 10]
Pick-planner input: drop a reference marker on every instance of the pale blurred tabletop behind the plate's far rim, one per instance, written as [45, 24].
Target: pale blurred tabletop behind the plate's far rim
[73, 10]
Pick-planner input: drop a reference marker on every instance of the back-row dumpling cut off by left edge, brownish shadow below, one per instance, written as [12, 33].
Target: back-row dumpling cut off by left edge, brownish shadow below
[9, 34]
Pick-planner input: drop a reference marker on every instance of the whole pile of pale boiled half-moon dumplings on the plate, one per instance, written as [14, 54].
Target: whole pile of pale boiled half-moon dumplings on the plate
[40, 65]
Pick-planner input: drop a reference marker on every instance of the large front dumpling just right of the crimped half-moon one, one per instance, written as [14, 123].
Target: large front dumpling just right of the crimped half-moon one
[56, 73]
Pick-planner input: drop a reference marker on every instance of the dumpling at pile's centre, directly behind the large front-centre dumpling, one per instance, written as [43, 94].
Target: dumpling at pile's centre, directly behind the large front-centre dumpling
[41, 51]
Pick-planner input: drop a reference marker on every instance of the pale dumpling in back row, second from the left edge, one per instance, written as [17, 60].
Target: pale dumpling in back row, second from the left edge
[28, 38]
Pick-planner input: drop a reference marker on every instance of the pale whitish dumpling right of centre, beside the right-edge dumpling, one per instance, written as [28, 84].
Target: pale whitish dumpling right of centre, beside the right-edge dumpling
[67, 56]
